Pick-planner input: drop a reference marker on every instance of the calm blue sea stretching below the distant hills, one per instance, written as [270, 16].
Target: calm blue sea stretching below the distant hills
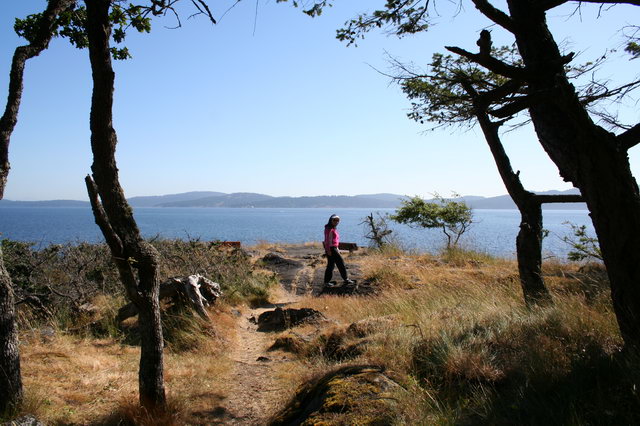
[494, 231]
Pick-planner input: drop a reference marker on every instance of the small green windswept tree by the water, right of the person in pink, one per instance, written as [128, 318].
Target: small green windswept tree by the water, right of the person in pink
[454, 217]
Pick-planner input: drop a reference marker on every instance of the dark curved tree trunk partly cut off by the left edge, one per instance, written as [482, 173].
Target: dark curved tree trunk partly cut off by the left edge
[10, 379]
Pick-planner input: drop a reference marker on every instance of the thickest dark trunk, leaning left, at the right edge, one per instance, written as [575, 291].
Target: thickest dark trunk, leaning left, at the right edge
[591, 158]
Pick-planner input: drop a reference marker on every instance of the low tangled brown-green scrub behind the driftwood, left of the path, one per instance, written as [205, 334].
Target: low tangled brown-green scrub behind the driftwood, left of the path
[77, 287]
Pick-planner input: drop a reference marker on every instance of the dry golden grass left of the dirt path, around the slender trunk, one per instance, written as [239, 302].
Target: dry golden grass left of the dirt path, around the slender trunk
[73, 380]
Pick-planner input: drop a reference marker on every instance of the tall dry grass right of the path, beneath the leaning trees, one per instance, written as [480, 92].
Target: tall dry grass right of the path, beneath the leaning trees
[472, 352]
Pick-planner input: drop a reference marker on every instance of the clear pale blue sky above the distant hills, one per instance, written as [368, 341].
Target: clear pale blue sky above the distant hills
[288, 110]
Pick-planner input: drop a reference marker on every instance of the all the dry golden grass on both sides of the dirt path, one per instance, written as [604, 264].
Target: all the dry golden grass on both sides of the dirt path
[463, 344]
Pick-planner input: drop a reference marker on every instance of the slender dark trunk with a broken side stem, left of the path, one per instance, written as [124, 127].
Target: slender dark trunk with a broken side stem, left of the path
[114, 215]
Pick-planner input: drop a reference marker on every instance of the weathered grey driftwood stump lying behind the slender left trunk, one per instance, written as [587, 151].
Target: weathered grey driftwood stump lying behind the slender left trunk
[195, 290]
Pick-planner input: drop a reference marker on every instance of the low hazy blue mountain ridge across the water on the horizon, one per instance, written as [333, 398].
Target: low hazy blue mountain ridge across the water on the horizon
[213, 199]
